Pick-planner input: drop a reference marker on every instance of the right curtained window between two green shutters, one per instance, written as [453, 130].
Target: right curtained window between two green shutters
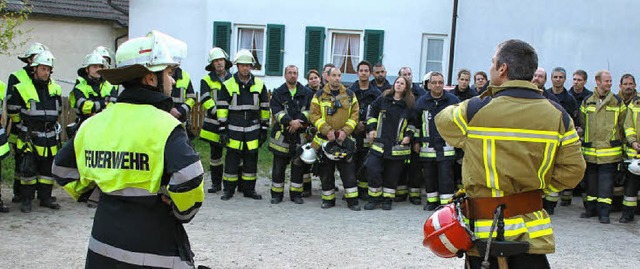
[345, 51]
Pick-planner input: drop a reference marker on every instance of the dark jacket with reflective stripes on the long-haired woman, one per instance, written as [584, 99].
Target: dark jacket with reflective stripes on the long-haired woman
[393, 121]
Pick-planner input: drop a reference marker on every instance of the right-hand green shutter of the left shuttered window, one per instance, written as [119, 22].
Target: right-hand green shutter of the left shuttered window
[275, 50]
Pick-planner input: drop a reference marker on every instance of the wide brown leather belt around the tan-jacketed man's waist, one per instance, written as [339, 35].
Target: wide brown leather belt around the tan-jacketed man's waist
[515, 204]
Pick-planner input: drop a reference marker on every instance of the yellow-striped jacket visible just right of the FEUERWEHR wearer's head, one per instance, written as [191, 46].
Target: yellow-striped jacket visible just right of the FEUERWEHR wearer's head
[182, 93]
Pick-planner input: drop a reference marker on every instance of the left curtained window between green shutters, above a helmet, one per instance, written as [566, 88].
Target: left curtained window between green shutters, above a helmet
[252, 38]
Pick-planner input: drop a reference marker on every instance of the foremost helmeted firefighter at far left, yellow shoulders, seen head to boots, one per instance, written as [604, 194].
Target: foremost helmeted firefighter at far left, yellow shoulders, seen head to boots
[35, 106]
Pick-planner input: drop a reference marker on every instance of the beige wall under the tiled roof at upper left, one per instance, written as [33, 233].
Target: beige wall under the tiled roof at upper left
[69, 40]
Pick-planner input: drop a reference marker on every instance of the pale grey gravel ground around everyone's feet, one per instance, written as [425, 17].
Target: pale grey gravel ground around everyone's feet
[244, 233]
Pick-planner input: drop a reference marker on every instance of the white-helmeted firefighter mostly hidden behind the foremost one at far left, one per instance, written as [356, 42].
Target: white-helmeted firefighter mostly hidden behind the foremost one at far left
[22, 75]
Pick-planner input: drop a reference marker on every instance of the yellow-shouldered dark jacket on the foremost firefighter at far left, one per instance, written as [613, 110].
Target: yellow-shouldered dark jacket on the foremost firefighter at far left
[44, 138]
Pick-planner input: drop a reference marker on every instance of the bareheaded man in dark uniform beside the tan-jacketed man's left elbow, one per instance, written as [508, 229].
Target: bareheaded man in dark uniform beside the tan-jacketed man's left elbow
[437, 156]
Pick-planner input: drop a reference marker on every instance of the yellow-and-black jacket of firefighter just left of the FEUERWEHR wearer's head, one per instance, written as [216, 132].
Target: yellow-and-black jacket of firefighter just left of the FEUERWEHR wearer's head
[107, 93]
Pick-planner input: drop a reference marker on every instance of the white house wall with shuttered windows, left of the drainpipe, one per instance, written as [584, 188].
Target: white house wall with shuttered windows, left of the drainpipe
[403, 21]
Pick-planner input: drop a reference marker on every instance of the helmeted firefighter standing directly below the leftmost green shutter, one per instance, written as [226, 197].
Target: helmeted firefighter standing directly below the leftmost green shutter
[210, 84]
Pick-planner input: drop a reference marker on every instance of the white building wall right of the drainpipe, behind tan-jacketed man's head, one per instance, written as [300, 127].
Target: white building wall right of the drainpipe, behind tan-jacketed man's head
[574, 34]
